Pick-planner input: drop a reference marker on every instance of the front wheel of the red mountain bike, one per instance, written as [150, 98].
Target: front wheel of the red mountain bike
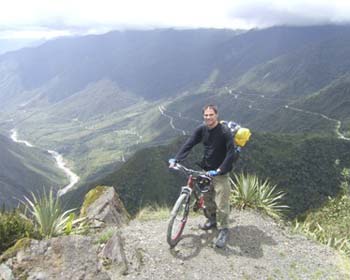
[178, 220]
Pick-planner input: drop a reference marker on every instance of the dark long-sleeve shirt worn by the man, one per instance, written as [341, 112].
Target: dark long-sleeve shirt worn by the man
[218, 144]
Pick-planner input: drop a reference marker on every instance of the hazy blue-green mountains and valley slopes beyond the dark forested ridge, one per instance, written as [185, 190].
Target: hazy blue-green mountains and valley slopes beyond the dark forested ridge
[98, 99]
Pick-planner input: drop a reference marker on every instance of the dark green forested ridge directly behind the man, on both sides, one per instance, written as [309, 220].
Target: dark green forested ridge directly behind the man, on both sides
[305, 167]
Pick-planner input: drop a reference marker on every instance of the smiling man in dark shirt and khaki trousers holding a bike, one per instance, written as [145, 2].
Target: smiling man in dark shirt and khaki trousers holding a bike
[218, 158]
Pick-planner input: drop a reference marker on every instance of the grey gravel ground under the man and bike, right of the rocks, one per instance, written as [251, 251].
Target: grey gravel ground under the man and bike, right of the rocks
[258, 249]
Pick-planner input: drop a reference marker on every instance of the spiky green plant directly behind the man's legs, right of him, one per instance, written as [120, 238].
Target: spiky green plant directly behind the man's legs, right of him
[250, 191]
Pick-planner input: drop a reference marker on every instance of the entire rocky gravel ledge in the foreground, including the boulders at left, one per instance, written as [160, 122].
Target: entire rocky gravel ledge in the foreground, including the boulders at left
[258, 249]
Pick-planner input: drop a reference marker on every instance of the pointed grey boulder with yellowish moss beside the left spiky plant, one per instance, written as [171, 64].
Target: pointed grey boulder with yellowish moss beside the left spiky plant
[102, 205]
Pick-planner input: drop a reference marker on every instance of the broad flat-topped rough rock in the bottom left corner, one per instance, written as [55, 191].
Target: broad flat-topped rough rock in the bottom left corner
[70, 257]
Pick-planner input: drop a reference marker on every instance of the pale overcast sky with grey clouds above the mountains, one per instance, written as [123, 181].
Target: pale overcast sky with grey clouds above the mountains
[49, 18]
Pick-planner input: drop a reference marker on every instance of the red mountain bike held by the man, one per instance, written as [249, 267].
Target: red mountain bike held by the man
[191, 196]
